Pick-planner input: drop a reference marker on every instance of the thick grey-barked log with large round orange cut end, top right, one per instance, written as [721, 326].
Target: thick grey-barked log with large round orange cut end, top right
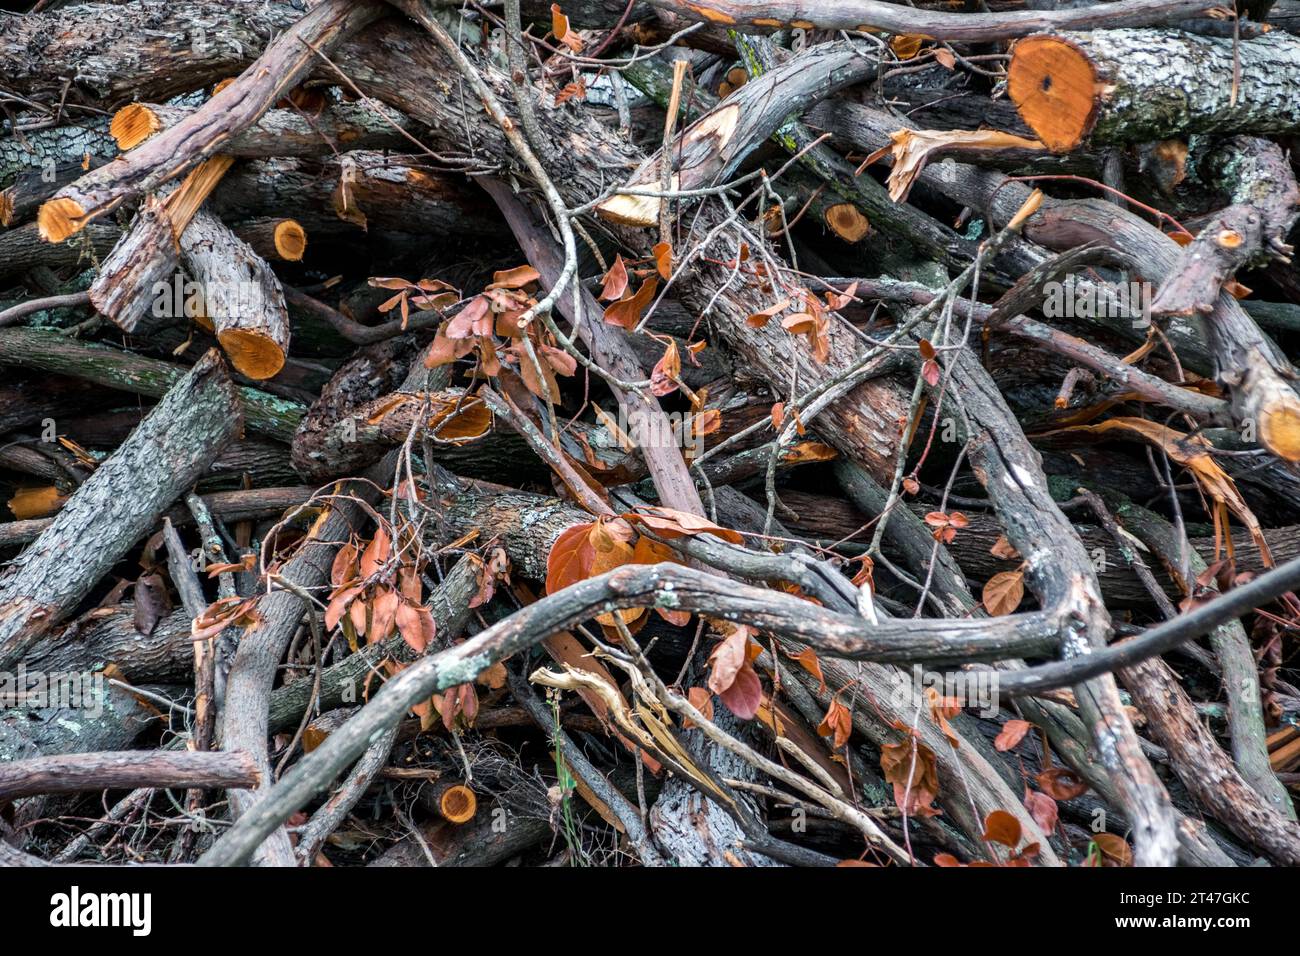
[1121, 86]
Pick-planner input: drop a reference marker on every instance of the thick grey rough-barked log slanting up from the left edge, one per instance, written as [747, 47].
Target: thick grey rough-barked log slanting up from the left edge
[114, 508]
